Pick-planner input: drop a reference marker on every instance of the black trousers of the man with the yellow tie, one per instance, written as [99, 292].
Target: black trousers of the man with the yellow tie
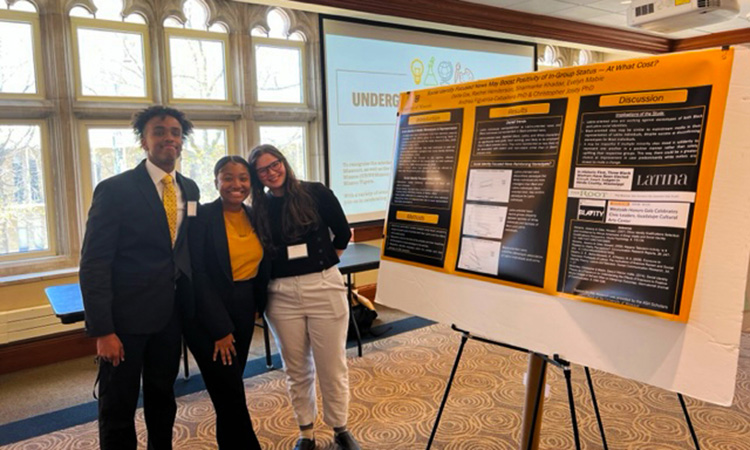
[156, 358]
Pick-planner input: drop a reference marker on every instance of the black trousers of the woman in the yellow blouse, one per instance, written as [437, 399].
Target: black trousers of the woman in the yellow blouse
[234, 429]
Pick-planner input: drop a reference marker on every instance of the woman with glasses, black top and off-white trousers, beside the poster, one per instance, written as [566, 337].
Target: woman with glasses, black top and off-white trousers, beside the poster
[307, 307]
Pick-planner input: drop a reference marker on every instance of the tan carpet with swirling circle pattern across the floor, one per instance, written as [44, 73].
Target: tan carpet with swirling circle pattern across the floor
[398, 384]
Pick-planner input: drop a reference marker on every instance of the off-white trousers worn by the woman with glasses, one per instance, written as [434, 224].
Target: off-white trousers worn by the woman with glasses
[309, 318]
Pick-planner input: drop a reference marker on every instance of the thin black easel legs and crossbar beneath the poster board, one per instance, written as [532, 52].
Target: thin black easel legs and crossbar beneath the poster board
[555, 360]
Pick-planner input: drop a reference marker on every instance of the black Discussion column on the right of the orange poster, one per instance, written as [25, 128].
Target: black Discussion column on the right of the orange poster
[632, 188]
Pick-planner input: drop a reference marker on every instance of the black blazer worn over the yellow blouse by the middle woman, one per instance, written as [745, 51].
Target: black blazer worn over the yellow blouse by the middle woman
[212, 270]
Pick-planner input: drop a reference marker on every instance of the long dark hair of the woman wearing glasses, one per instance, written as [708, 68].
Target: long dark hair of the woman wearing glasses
[298, 213]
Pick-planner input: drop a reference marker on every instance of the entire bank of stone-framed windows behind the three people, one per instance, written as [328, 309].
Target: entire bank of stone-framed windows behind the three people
[54, 151]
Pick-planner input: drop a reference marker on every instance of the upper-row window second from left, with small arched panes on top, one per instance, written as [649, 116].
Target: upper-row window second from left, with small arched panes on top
[111, 53]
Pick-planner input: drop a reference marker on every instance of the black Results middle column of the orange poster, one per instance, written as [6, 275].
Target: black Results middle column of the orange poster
[509, 190]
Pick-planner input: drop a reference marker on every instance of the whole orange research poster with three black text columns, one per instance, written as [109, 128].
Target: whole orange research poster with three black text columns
[590, 183]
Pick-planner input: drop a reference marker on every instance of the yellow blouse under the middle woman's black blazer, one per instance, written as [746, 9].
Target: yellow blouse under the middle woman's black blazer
[245, 249]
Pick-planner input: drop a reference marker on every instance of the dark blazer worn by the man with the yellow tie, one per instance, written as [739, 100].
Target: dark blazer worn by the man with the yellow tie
[130, 275]
